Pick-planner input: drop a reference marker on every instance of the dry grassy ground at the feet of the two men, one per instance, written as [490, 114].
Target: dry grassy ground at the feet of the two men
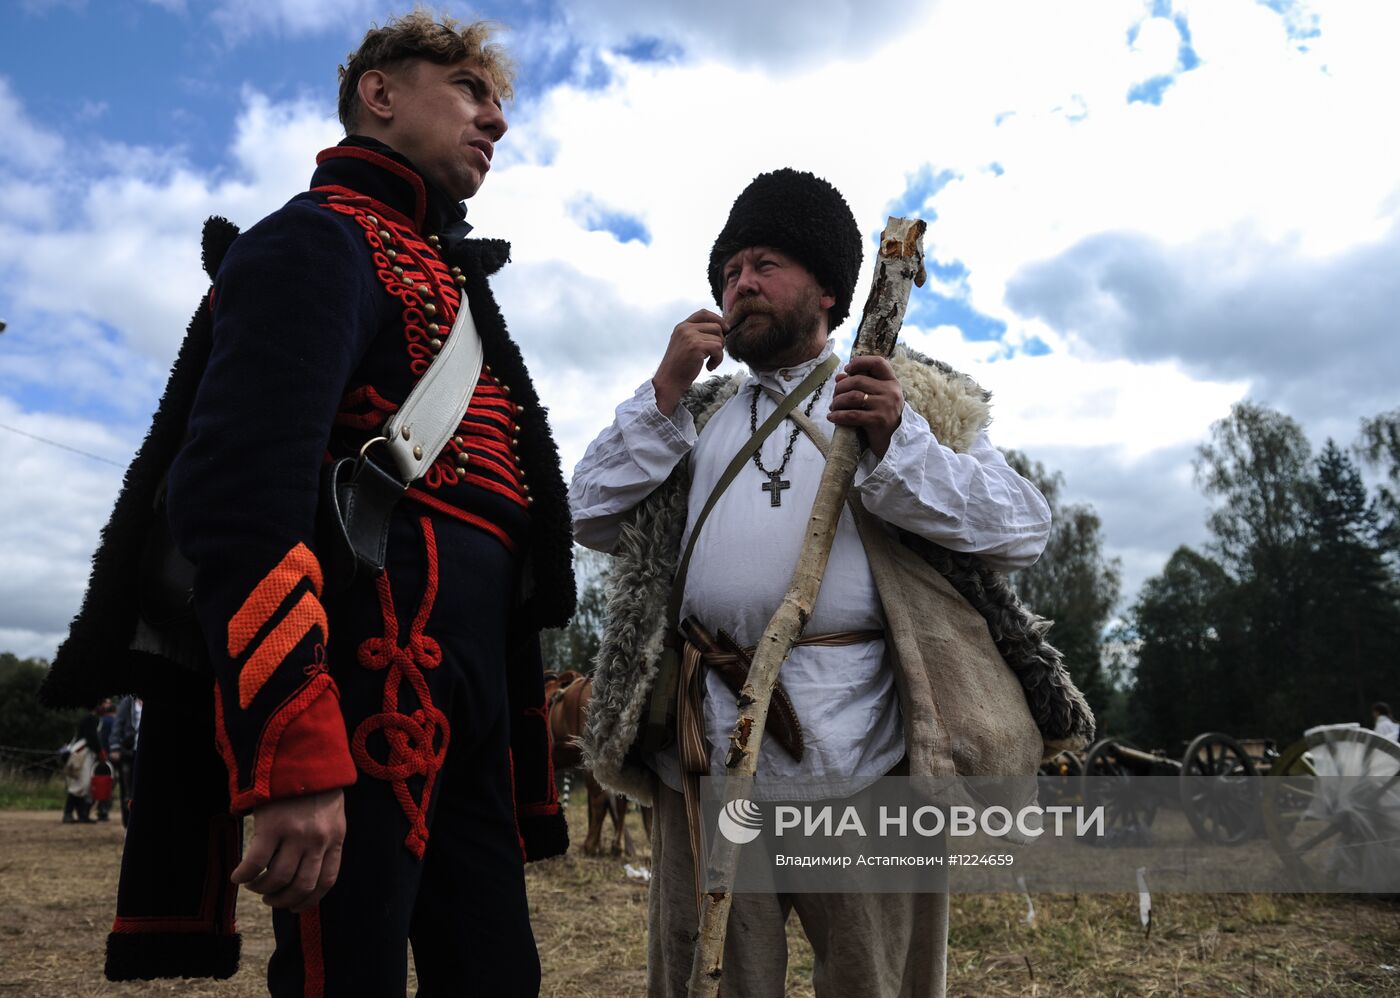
[58, 884]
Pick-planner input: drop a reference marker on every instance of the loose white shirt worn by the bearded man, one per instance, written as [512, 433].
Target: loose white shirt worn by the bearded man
[743, 565]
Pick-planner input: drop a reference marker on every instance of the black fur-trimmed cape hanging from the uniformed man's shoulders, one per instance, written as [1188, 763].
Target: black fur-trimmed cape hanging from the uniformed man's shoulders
[176, 908]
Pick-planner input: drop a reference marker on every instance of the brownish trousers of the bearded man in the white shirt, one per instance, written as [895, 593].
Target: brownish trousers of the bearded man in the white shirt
[864, 946]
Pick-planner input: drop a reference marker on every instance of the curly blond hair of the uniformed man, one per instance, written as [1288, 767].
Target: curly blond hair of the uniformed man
[422, 36]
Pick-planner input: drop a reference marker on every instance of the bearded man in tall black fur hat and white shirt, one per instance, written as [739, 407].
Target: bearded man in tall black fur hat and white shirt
[783, 271]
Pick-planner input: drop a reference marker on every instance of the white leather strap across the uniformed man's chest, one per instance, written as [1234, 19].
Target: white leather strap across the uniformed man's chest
[428, 419]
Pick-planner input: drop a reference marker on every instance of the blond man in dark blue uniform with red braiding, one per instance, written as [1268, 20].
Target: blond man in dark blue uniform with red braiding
[388, 738]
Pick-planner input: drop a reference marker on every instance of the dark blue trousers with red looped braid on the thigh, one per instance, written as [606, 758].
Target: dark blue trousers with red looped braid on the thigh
[433, 857]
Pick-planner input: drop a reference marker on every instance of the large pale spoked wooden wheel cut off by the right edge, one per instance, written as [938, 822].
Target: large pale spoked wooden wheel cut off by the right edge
[1325, 829]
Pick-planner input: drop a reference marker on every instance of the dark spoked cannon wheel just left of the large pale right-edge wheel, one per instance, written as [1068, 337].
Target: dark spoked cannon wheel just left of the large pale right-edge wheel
[1219, 792]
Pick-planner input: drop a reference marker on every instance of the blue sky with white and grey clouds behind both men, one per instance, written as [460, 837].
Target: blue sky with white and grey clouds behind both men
[1140, 213]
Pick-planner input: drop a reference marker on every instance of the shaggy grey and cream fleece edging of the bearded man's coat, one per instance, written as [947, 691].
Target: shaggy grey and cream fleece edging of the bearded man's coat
[645, 566]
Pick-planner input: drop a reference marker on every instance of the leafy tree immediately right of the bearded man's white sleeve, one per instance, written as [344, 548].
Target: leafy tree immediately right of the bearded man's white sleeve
[1073, 583]
